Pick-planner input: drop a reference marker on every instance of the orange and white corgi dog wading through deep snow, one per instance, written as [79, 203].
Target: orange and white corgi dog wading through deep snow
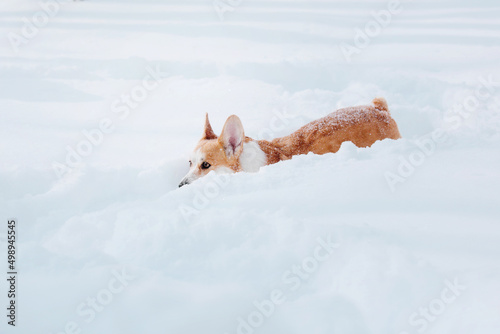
[232, 151]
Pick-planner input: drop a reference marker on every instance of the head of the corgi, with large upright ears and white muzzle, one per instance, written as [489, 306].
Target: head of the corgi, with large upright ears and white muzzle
[219, 154]
